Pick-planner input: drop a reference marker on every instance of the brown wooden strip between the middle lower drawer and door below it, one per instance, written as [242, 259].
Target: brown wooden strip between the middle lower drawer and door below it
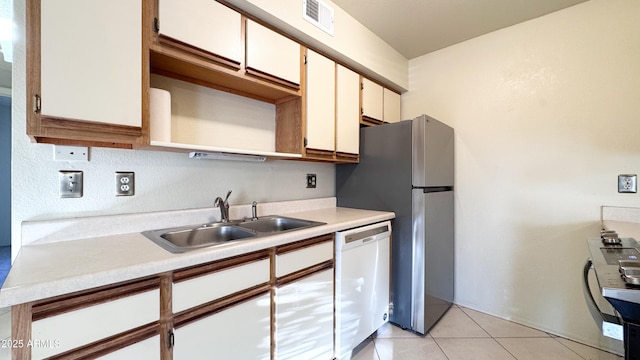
[194, 314]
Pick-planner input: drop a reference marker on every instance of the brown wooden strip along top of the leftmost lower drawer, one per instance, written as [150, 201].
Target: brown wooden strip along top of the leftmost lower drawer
[70, 302]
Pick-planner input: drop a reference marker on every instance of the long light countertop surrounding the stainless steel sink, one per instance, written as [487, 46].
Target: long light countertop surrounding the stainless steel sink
[46, 269]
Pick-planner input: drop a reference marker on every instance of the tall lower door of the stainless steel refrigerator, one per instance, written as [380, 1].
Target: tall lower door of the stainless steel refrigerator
[433, 251]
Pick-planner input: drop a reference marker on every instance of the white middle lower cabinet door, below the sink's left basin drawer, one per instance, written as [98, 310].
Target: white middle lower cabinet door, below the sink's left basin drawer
[242, 331]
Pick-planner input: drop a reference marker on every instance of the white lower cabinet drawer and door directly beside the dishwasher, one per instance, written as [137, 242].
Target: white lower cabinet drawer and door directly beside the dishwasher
[303, 299]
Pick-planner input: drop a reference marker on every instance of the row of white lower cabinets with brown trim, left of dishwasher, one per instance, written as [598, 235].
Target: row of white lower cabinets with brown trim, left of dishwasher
[164, 321]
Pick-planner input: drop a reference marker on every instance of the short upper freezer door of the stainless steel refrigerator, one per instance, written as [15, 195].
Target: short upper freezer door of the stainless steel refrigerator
[432, 160]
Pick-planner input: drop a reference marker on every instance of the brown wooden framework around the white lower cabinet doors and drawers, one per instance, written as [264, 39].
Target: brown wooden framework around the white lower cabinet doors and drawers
[23, 315]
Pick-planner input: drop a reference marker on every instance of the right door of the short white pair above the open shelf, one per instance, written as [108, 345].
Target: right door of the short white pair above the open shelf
[272, 54]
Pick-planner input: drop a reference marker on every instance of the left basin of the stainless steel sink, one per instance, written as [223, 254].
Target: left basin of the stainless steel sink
[188, 238]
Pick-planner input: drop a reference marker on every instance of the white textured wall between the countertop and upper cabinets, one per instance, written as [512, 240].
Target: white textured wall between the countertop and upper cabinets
[164, 180]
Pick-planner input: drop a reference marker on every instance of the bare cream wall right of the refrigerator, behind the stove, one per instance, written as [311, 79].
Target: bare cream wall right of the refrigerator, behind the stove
[546, 116]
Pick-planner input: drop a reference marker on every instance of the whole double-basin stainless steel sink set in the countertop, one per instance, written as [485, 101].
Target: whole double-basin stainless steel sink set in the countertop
[183, 239]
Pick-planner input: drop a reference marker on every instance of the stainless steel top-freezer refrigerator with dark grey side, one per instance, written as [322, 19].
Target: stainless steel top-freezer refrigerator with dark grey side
[408, 168]
